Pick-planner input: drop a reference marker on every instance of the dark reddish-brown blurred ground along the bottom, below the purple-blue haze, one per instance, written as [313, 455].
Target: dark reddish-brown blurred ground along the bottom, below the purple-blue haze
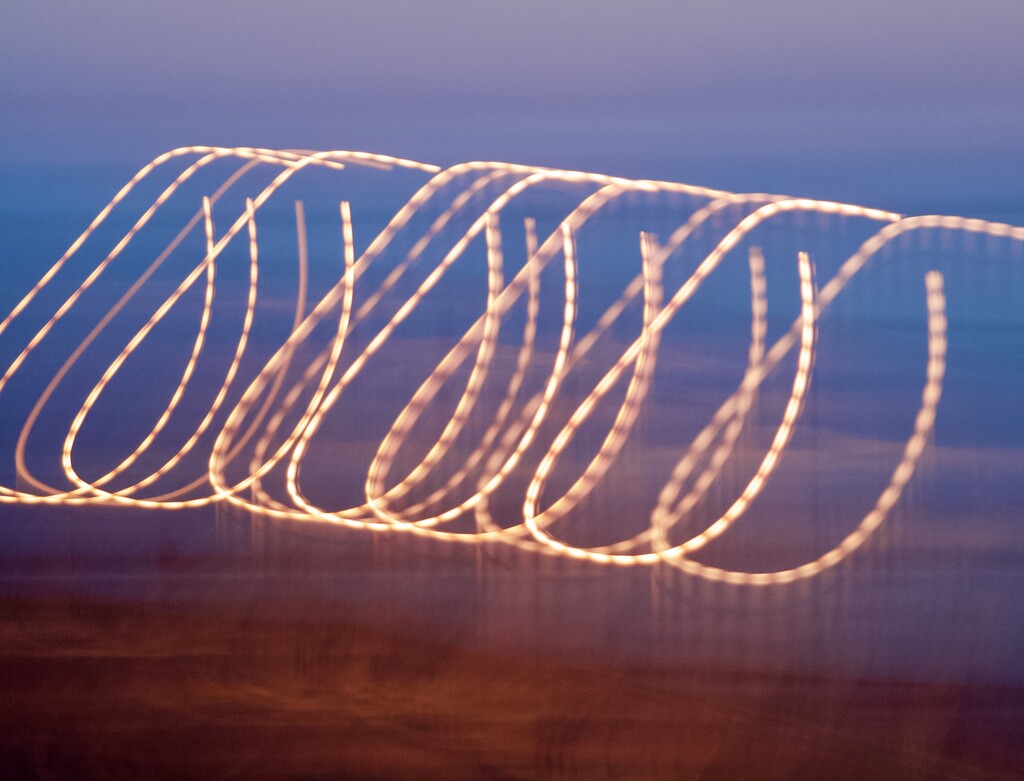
[95, 690]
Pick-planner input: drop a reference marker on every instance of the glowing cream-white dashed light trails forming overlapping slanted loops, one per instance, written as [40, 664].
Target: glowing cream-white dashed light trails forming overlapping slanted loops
[260, 415]
